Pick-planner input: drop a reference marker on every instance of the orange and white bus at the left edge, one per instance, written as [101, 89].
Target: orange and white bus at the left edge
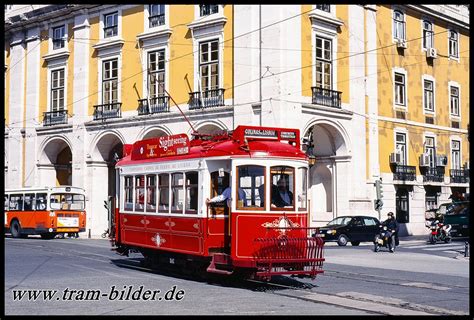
[45, 211]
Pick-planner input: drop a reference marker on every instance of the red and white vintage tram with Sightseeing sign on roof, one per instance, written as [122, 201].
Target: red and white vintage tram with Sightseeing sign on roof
[260, 226]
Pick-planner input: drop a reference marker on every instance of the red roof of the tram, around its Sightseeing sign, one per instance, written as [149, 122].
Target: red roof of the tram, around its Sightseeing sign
[239, 144]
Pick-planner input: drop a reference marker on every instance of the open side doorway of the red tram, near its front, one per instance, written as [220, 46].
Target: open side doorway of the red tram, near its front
[218, 217]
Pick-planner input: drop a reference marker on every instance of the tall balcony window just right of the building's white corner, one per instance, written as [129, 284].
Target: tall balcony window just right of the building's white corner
[323, 63]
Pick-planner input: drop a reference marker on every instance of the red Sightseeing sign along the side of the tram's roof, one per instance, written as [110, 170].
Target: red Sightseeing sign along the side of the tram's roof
[161, 147]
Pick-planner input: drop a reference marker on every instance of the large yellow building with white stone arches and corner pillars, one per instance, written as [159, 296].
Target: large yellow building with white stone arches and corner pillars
[362, 81]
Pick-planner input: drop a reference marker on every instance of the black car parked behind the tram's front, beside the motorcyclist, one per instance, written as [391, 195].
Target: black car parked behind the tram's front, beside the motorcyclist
[353, 229]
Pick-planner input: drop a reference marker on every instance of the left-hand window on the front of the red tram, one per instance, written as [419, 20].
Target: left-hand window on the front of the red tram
[251, 180]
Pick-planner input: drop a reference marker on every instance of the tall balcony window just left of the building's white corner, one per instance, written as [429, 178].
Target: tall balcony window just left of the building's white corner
[209, 65]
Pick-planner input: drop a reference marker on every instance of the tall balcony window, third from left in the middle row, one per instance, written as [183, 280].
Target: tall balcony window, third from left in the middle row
[156, 71]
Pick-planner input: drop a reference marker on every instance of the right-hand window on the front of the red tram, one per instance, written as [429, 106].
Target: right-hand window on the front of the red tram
[282, 188]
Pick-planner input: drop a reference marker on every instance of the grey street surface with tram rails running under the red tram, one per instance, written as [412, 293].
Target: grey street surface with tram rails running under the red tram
[418, 279]
